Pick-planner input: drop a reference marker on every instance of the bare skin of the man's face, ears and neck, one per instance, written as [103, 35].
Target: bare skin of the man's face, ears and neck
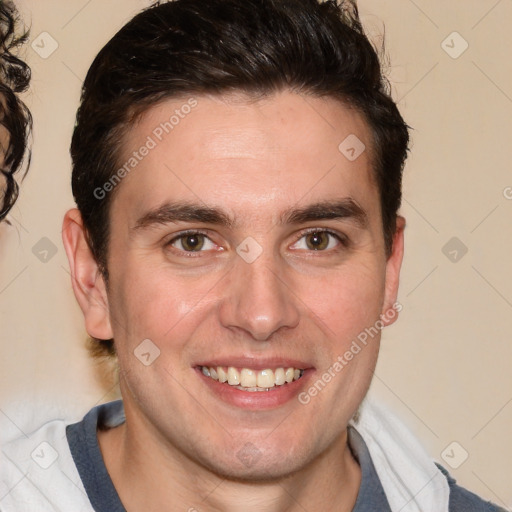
[253, 160]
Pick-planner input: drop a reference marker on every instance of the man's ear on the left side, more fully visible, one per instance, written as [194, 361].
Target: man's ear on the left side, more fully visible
[88, 282]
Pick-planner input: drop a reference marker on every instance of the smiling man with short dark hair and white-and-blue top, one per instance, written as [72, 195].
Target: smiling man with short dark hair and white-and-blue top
[237, 171]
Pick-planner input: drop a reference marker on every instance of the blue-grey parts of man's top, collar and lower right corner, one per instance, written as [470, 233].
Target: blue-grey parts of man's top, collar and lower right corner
[83, 443]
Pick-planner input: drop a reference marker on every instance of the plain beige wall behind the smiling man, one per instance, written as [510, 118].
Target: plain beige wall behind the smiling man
[445, 366]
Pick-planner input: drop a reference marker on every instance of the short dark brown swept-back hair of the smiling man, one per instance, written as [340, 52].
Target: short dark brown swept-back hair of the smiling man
[257, 47]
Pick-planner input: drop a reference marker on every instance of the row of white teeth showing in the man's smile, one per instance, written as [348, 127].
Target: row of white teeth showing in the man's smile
[246, 379]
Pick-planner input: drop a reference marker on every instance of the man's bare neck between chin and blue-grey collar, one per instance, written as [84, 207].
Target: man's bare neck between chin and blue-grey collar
[152, 477]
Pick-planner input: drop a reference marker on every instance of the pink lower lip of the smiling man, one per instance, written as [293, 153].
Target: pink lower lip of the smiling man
[257, 400]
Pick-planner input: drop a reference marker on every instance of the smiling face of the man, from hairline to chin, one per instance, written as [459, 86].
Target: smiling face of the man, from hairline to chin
[245, 241]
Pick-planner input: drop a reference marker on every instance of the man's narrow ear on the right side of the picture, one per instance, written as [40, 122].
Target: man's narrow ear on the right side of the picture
[390, 307]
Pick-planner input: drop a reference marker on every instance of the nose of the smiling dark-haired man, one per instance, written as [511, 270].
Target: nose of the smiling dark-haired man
[258, 300]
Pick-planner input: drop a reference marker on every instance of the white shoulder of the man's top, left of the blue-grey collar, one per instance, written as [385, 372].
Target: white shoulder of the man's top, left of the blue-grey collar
[37, 473]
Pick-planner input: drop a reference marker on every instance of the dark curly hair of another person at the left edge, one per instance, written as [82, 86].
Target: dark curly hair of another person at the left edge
[15, 118]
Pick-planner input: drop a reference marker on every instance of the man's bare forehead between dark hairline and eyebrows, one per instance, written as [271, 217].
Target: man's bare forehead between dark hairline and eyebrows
[247, 156]
